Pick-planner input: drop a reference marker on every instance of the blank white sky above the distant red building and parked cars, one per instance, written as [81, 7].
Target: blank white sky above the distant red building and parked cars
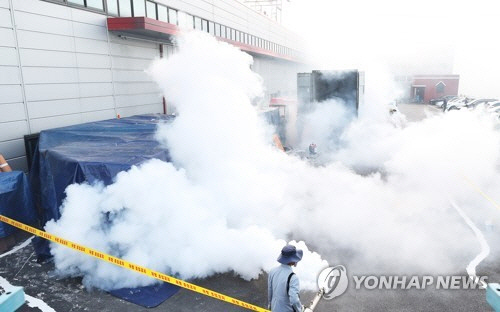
[414, 37]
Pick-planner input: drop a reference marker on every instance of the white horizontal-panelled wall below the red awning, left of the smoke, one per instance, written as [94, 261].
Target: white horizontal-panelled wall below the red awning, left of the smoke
[59, 66]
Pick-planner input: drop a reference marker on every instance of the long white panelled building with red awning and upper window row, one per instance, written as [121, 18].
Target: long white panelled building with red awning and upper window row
[62, 63]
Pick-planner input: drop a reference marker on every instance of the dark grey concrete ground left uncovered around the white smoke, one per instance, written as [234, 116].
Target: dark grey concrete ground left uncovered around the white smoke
[63, 295]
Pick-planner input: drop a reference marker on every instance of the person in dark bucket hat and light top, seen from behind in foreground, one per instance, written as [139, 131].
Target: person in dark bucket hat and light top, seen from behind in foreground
[283, 285]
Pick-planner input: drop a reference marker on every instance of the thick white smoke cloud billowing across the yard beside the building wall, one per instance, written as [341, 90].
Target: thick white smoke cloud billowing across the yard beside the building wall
[229, 200]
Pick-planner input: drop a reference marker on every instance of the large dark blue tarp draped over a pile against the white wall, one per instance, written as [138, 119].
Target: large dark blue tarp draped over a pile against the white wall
[89, 152]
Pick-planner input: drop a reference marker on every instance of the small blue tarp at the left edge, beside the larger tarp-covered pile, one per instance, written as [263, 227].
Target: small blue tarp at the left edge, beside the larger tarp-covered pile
[15, 200]
